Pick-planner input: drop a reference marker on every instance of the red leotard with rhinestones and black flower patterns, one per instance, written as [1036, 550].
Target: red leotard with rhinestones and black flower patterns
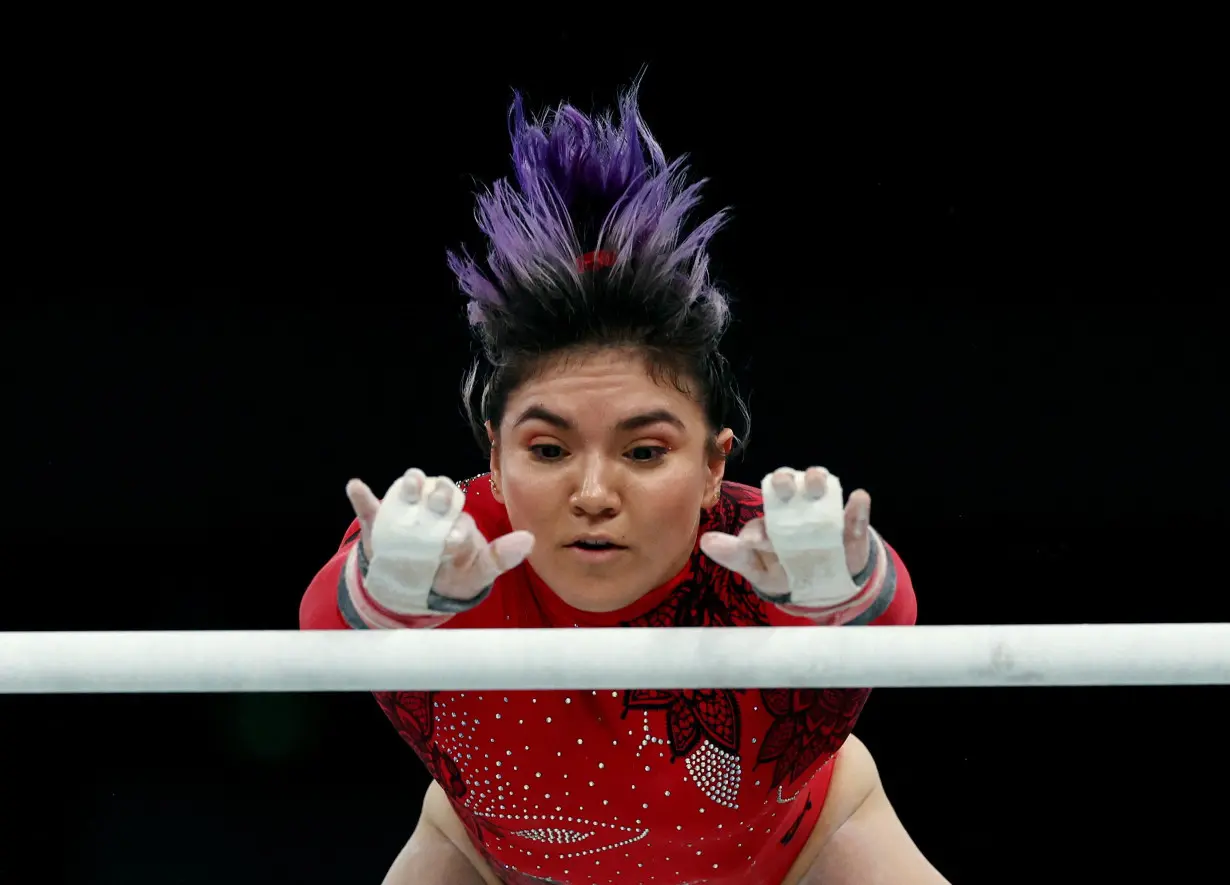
[666, 787]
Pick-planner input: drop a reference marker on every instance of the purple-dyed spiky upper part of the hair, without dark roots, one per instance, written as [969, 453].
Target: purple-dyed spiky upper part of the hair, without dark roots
[586, 178]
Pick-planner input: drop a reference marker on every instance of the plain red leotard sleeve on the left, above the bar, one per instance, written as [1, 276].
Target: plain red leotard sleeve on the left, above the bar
[336, 598]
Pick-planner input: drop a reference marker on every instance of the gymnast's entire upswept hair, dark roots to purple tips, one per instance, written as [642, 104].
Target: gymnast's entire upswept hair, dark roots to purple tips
[590, 186]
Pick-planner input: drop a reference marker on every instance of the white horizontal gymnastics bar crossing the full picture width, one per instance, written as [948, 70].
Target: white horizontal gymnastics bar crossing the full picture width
[616, 658]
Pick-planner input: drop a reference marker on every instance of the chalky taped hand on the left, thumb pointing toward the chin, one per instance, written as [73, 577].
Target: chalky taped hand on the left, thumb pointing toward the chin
[420, 540]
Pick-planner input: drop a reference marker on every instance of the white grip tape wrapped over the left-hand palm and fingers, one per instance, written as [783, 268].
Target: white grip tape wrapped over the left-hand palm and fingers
[408, 546]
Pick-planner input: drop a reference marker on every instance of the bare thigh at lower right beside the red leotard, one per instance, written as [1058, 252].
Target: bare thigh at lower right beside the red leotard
[873, 846]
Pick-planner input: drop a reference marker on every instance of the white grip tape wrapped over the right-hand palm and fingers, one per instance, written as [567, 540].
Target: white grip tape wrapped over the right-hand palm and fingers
[807, 535]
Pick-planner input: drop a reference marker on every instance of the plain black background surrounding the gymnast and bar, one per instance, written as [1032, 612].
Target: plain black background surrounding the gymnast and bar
[977, 277]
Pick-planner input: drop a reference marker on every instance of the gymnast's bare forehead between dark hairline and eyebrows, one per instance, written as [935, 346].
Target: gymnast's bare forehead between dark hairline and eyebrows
[603, 387]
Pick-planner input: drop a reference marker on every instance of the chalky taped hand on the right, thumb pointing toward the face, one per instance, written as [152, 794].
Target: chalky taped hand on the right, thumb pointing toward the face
[806, 549]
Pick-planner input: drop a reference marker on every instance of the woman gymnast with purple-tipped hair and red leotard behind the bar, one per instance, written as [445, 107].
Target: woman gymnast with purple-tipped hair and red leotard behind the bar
[605, 407]
